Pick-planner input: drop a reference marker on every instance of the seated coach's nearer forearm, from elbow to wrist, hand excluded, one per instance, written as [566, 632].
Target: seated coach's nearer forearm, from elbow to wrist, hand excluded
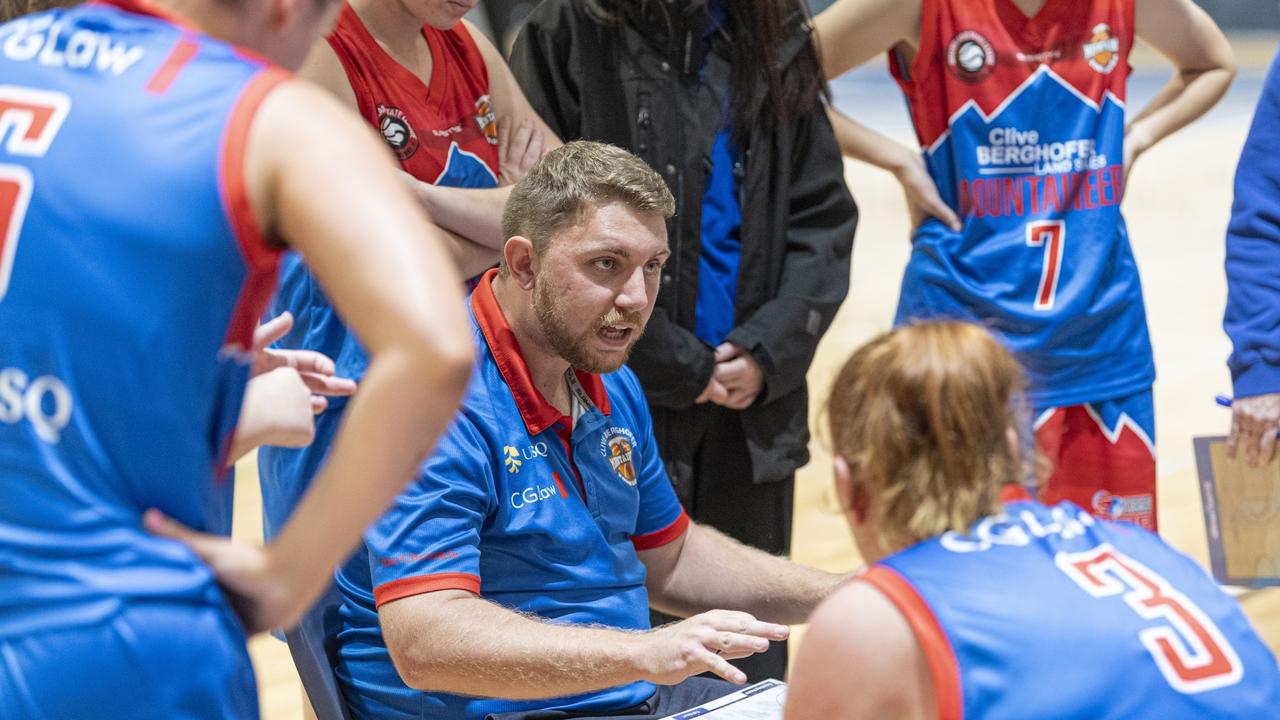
[459, 644]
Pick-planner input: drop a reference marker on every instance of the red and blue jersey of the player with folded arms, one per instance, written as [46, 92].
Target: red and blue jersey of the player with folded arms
[442, 133]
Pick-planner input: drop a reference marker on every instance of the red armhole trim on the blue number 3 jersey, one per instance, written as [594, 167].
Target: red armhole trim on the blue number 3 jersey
[938, 650]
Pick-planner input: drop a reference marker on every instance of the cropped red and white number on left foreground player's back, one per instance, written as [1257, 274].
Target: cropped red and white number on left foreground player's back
[31, 119]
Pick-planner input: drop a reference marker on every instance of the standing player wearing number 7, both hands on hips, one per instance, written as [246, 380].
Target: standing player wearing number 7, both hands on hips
[1021, 110]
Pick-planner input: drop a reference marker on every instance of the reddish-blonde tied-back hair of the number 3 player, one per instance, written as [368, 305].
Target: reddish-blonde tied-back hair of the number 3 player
[925, 414]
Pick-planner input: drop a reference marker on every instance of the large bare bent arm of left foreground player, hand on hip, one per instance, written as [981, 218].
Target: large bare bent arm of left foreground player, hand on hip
[385, 267]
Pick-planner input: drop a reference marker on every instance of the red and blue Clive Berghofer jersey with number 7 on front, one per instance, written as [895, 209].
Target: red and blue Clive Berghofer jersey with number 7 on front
[1022, 122]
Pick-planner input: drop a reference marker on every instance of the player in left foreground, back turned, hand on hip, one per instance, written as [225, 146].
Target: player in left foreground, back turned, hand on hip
[152, 158]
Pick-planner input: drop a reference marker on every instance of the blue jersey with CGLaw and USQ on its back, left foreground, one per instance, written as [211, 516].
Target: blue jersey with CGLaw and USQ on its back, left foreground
[132, 276]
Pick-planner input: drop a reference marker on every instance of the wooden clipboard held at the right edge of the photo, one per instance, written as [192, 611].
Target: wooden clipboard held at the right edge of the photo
[1242, 516]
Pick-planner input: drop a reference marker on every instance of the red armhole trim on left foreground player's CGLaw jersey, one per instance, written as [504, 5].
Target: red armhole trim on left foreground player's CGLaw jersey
[262, 258]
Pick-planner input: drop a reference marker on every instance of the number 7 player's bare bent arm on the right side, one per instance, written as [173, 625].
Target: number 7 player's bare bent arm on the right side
[1205, 69]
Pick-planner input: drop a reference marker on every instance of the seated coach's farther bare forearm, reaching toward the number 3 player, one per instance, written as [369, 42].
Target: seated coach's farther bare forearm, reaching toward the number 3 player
[706, 569]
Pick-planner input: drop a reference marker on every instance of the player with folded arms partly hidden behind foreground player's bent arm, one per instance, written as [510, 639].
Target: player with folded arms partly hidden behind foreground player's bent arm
[440, 95]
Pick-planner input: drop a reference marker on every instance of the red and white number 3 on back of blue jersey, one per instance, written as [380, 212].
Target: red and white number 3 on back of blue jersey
[1188, 649]
